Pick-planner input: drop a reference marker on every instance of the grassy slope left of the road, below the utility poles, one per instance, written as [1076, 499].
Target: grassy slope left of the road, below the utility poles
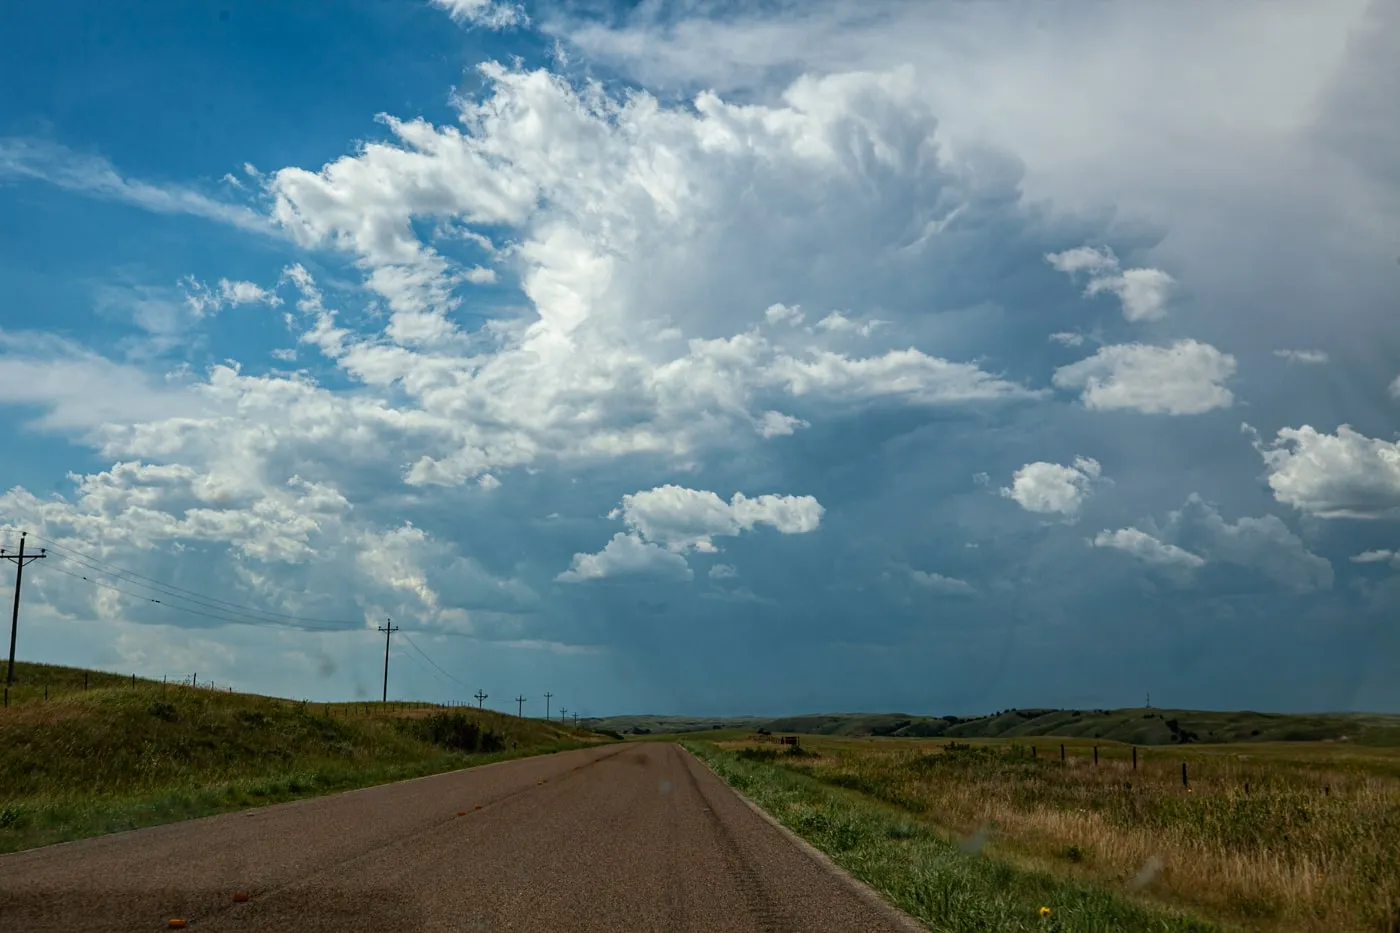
[114, 757]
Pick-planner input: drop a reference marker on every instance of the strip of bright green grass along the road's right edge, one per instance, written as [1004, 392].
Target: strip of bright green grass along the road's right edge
[926, 872]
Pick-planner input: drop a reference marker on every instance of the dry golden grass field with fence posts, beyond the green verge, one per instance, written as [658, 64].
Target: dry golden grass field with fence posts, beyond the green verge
[1314, 844]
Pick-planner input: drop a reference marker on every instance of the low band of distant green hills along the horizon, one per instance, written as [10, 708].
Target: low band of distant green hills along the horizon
[1136, 726]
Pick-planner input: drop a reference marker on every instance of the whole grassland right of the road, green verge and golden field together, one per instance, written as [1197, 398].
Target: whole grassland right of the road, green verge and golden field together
[1268, 837]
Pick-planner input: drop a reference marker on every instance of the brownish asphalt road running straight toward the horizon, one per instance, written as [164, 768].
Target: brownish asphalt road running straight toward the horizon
[614, 838]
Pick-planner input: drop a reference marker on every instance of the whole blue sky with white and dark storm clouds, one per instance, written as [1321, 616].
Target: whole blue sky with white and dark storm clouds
[709, 358]
